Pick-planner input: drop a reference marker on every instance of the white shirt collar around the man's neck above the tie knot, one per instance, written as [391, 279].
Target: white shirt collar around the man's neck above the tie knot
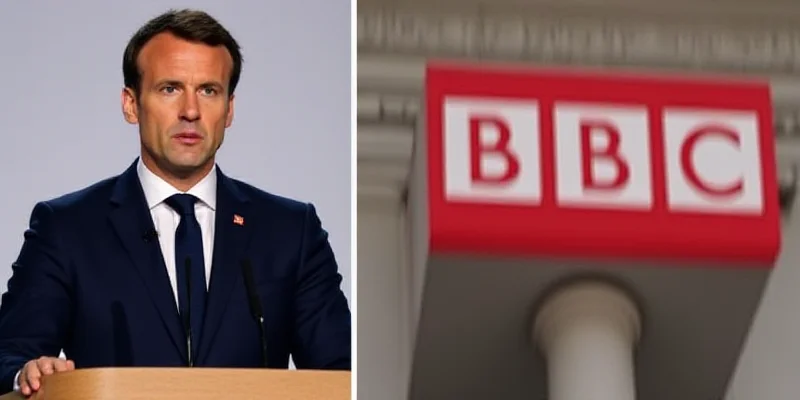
[156, 190]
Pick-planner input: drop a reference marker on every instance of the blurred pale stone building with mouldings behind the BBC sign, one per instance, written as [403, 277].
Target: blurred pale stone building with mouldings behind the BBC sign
[396, 38]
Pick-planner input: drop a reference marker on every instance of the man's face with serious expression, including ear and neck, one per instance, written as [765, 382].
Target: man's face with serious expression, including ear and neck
[183, 105]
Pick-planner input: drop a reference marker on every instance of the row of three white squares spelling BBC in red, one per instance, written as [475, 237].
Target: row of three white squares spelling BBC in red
[602, 155]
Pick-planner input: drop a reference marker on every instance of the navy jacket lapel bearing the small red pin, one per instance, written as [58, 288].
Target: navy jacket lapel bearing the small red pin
[231, 237]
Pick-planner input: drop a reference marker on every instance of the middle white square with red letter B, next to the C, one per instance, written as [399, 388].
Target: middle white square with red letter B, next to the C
[602, 156]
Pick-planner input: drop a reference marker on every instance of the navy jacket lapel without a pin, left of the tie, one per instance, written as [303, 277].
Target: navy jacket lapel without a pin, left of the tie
[131, 220]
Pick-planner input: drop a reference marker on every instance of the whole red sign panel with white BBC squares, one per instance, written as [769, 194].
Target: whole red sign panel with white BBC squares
[591, 164]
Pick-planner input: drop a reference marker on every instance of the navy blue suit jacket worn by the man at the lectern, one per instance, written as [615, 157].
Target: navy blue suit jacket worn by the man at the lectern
[87, 280]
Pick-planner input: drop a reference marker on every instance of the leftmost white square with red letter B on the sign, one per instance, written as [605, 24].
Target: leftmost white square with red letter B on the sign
[491, 150]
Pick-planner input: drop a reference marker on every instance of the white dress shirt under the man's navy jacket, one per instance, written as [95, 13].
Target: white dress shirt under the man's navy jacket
[166, 220]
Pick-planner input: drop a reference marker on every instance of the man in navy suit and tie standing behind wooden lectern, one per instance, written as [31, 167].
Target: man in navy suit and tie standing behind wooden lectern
[145, 269]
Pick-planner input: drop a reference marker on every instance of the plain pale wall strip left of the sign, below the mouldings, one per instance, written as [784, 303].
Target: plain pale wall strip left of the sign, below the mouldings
[383, 286]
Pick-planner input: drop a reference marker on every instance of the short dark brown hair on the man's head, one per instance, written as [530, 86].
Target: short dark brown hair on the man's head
[187, 24]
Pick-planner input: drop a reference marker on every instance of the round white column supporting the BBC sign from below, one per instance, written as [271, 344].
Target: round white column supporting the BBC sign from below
[588, 332]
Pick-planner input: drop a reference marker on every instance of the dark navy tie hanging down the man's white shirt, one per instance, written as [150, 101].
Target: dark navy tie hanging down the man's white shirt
[189, 245]
